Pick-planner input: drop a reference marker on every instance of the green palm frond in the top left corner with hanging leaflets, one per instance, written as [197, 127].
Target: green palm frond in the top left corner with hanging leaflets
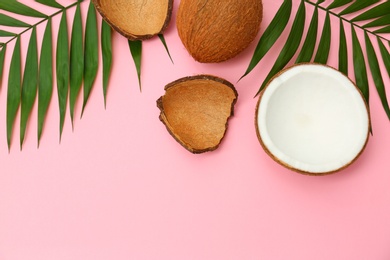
[73, 66]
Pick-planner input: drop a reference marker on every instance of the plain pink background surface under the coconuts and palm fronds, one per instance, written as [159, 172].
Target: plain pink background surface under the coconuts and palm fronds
[120, 187]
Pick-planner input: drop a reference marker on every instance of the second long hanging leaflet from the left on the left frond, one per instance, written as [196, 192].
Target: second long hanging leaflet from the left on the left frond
[29, 86]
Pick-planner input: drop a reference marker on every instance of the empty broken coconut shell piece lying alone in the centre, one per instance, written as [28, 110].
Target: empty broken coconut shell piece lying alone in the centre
[195, 111]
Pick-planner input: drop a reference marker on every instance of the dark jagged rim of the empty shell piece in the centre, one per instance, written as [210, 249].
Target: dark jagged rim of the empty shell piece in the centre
[191, 78]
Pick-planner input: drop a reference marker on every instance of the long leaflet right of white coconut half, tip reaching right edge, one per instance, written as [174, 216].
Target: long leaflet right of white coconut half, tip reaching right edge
[376, 73]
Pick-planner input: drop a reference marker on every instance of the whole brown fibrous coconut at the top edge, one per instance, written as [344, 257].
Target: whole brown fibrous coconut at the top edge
[217, 30]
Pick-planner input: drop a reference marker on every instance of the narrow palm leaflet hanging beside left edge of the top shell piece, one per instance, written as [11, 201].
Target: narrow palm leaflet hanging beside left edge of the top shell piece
[106, 56]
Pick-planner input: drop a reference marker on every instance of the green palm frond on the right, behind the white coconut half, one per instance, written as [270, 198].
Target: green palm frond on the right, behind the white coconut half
[374, 12]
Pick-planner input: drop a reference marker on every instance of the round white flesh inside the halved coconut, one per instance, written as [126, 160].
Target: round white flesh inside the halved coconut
[313, 119]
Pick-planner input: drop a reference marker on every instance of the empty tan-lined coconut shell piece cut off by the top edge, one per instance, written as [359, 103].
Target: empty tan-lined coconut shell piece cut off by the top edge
[136, 20]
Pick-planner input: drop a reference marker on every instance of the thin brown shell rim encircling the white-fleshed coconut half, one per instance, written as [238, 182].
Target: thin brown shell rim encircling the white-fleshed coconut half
[290, 167]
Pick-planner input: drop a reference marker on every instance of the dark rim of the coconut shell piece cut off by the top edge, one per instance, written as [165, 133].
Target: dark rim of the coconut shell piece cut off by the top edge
[129, 35]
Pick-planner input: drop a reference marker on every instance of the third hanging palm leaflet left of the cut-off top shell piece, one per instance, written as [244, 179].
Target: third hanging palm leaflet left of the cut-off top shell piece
[76, 61]
